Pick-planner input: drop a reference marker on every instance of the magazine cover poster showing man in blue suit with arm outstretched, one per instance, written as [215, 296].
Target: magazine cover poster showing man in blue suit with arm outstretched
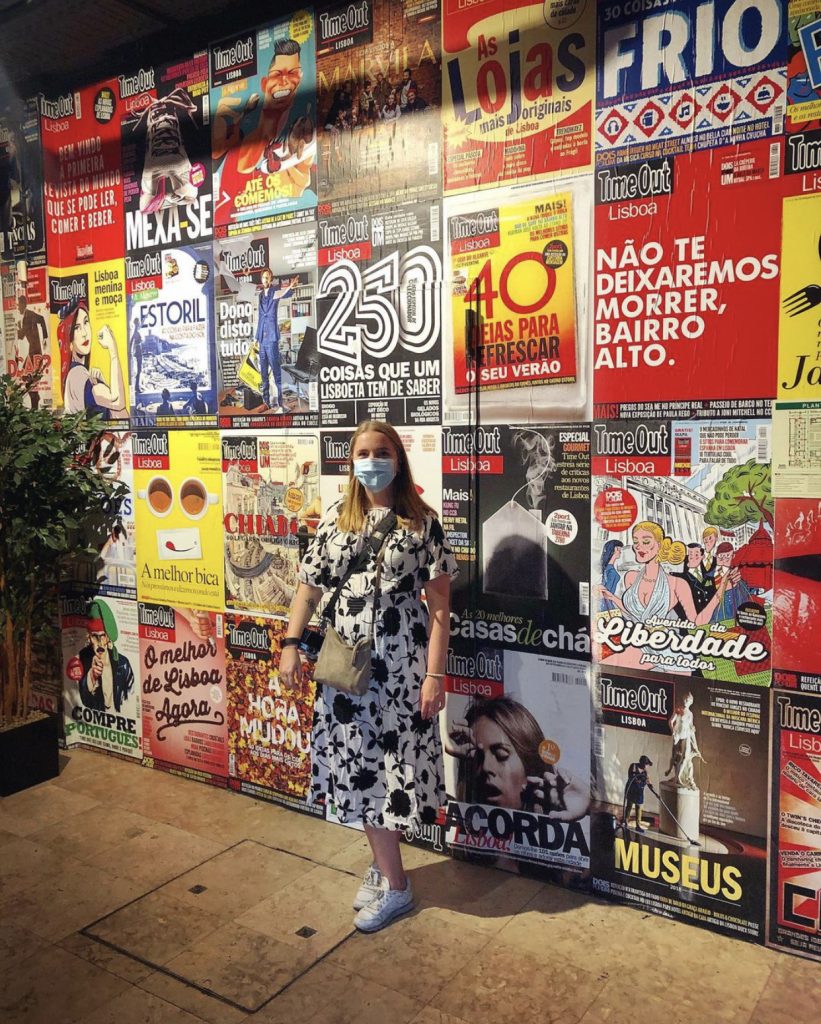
[268, 328]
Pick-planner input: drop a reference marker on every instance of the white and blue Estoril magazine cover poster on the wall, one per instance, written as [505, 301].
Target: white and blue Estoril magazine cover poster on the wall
[171, 337]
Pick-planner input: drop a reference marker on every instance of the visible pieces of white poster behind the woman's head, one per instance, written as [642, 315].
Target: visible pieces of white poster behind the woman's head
[423, 447]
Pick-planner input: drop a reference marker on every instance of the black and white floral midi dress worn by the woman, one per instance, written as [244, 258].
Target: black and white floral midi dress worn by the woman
[375, 755]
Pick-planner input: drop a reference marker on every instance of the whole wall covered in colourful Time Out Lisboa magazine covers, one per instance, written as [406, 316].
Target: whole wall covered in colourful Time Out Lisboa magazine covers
[573, 252]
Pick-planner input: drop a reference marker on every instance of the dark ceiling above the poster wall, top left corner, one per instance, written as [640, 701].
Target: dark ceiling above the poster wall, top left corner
[47, 45]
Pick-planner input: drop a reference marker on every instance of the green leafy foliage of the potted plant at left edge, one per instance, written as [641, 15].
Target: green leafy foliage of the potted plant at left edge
[55, 507]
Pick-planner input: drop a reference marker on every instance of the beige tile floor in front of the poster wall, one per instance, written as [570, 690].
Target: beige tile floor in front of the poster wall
[133, 898]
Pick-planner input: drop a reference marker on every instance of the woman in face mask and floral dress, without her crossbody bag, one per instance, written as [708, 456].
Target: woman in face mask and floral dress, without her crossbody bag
[380, 756]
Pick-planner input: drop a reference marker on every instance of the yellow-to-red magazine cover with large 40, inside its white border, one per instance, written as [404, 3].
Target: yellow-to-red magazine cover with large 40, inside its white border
[514, 267]
